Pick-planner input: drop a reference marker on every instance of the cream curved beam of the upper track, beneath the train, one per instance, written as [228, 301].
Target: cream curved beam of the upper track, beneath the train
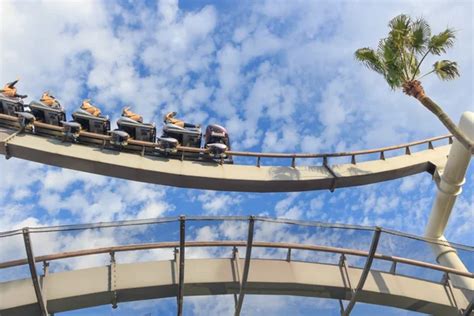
[213, 176]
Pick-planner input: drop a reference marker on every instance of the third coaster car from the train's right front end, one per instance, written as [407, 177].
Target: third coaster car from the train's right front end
[128, 128]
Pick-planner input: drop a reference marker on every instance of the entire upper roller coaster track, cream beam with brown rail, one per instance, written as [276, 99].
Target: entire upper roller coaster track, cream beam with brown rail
[94, 154]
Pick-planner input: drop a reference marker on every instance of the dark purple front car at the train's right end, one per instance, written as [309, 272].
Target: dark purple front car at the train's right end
[217, 142]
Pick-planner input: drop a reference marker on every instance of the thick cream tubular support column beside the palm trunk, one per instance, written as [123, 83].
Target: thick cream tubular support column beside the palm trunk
[449, 187]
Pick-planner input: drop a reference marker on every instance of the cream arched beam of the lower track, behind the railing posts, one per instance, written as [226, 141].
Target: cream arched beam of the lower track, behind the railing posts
[137, 281]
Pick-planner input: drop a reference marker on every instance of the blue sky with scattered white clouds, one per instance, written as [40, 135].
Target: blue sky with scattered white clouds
[280, 75]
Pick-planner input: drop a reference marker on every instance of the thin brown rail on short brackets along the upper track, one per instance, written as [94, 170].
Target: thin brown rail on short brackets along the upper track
[258, 155]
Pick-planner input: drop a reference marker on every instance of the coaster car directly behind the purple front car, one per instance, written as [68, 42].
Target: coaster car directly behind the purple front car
[174, 135]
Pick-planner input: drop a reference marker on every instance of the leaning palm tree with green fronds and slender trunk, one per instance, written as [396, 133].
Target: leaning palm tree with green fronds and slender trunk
[399, 56]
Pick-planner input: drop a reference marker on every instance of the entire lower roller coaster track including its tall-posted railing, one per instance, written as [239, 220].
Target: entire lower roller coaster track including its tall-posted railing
[121, 282]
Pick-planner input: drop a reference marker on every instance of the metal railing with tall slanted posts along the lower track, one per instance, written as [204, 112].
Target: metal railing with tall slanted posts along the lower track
[249, 244]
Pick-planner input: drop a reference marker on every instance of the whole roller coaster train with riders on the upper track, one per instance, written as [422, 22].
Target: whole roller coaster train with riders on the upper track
[129, 135]
